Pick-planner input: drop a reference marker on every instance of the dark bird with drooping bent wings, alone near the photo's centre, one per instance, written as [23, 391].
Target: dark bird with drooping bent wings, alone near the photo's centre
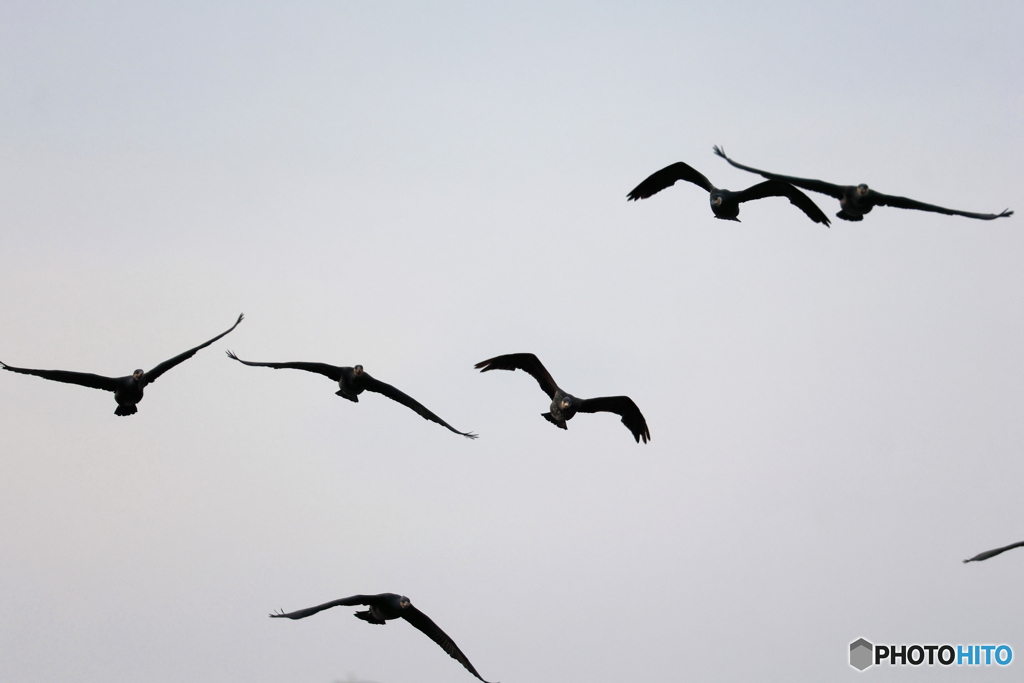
[564, 405]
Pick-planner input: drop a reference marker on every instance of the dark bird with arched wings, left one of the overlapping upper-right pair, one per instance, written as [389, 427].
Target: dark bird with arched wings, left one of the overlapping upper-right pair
[726, 204]
